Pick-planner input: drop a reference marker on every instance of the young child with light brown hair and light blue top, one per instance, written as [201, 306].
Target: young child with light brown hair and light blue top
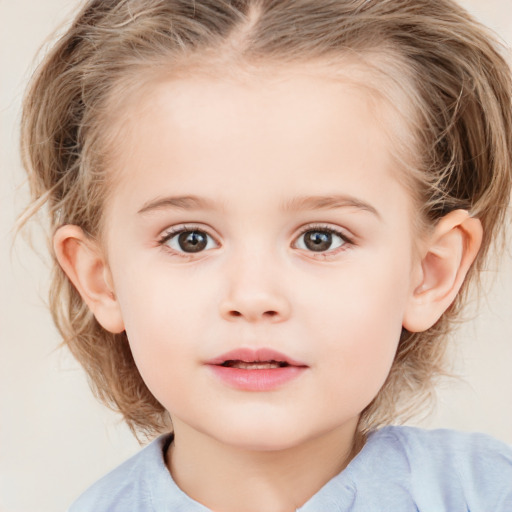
[265, 217]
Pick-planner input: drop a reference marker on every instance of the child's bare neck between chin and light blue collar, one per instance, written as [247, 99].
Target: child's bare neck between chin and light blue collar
[223, 477]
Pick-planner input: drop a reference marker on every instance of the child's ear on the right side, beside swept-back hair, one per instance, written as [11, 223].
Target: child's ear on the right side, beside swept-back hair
[450, 250]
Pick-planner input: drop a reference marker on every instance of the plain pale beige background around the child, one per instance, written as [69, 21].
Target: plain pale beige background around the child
[54, 438]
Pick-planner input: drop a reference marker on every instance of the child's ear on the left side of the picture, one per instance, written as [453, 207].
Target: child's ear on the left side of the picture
[82, 259]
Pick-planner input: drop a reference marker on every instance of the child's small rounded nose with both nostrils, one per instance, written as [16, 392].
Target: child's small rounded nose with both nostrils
[254, 293]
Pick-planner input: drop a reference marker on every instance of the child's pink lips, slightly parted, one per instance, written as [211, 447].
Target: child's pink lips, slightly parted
[263, 379]
